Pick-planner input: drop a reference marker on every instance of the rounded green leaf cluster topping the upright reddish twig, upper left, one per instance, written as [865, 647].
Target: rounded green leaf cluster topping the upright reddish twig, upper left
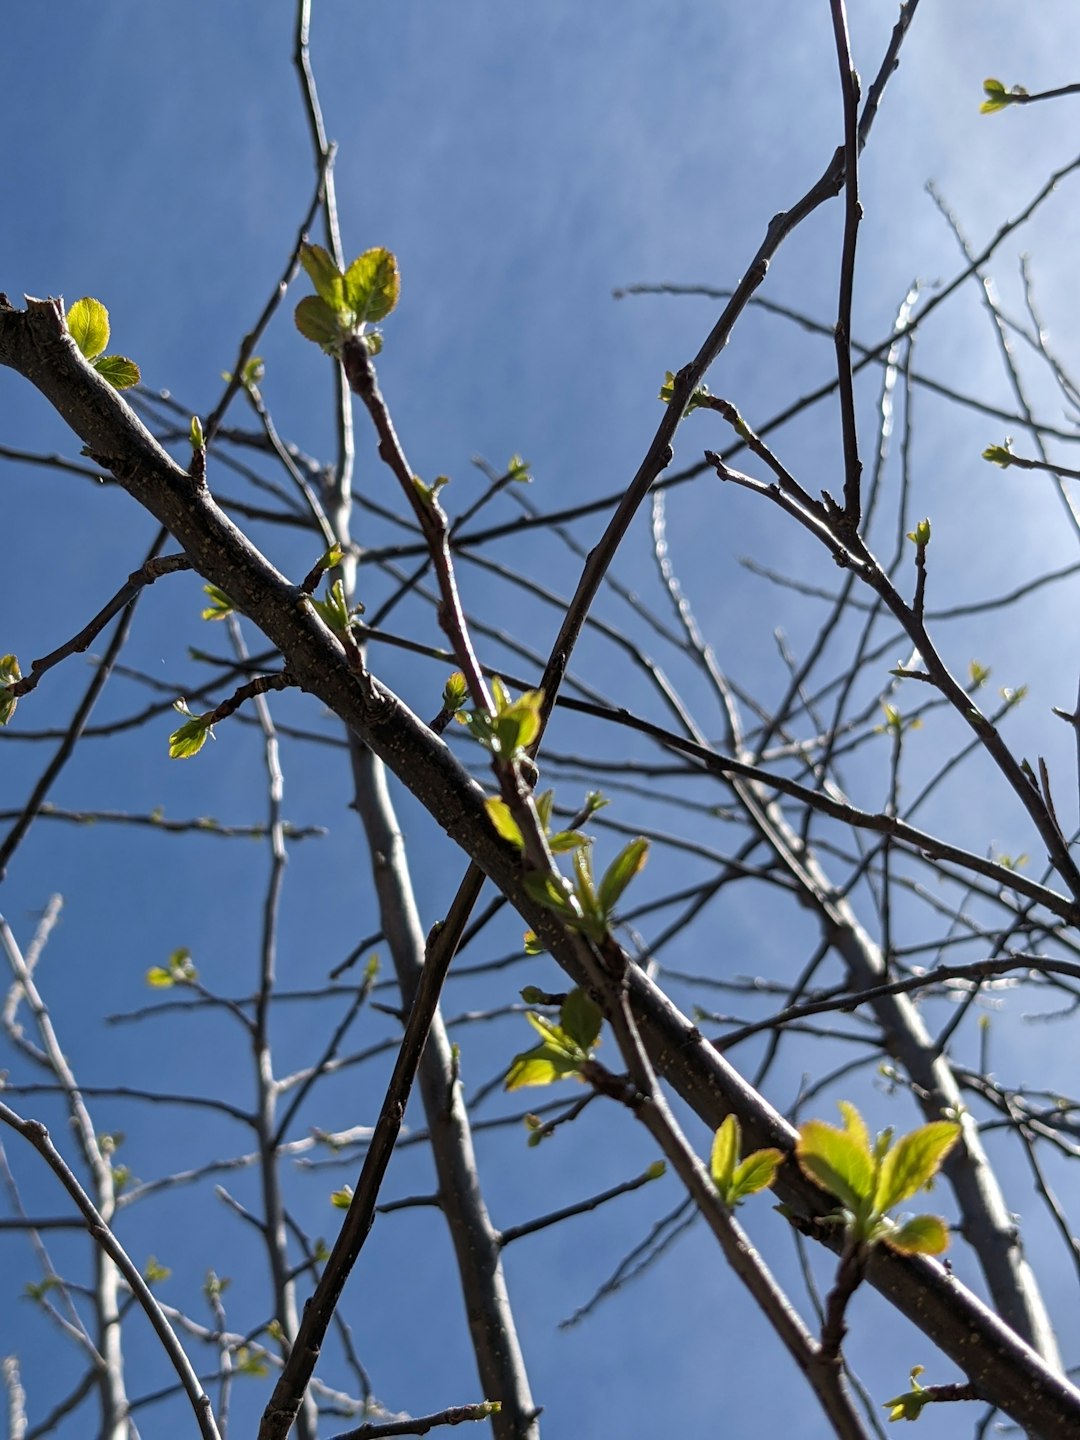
[346, 302]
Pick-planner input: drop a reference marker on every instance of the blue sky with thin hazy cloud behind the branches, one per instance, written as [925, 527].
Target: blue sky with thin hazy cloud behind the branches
[523, 165]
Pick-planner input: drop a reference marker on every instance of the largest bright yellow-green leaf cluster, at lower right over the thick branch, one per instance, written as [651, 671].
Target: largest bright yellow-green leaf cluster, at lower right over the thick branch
[872, 1179]
